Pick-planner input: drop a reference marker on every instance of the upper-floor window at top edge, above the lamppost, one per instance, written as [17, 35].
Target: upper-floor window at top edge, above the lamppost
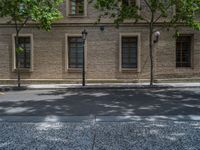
[76, 7]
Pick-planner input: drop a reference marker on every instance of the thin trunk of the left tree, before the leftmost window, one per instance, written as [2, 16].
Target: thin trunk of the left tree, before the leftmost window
[18, 62]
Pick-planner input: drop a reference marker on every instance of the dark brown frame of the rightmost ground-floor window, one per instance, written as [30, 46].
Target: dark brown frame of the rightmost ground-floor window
[191, 51]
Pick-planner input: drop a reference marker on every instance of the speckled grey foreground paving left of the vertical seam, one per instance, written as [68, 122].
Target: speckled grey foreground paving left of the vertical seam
[46, 136]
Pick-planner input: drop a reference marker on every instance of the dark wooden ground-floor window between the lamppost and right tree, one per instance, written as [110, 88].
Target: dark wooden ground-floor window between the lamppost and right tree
[129, 52]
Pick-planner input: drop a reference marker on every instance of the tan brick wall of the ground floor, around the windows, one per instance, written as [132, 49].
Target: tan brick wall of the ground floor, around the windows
[102, 54]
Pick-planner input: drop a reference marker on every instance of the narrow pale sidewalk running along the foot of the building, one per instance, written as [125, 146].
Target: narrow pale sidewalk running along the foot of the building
[100, 86]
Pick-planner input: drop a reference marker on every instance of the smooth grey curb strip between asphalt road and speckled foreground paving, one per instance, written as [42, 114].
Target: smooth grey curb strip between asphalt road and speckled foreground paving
[92, 118]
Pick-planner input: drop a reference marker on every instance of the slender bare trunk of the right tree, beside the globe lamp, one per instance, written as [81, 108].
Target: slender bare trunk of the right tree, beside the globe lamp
[151, 54]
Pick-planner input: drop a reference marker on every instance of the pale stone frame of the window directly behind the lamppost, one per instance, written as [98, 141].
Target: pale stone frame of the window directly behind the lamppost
[67, 68]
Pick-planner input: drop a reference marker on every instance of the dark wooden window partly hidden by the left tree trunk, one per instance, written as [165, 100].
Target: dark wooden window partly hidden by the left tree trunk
[24, 57]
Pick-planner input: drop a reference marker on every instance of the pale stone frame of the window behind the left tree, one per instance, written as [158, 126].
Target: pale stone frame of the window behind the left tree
[14, 67]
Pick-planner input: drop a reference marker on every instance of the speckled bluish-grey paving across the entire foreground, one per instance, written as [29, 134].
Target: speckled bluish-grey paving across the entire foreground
[135, 135]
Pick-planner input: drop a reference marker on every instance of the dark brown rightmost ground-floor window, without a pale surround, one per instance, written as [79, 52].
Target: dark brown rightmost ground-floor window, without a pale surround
[183, 51]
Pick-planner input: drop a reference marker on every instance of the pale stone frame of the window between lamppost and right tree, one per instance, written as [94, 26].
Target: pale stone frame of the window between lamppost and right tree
[138, 35]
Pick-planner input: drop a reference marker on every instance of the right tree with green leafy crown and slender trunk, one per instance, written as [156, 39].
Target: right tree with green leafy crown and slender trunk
[152, 13]
